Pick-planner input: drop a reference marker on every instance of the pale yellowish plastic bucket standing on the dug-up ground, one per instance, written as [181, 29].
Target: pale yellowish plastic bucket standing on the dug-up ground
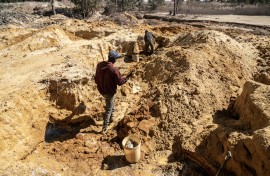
[132, 148]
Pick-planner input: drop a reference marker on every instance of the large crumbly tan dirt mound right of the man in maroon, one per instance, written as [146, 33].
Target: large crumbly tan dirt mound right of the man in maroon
[190, 84]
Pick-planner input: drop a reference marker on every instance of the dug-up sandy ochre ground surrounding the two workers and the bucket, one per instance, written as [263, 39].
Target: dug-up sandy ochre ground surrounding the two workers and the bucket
[204, 92]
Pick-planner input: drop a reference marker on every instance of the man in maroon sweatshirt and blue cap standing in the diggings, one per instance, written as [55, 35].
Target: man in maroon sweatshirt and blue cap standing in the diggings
[107, 78]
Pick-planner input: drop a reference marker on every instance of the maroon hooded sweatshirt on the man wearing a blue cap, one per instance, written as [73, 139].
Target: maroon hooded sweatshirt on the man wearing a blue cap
[108, 77]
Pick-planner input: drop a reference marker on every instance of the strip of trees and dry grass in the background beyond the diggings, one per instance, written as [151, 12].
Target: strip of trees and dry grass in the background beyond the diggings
[218, 7]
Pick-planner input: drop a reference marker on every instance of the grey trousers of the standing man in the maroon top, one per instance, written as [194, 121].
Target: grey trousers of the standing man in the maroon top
[110, 108]
